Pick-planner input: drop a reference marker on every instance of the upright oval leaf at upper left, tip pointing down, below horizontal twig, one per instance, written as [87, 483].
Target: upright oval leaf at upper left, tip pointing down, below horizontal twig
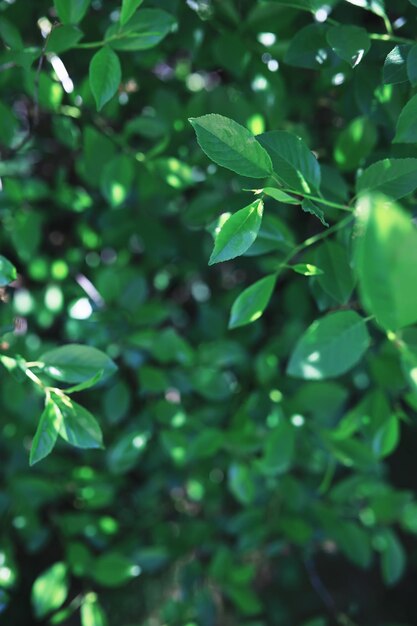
[105, 76]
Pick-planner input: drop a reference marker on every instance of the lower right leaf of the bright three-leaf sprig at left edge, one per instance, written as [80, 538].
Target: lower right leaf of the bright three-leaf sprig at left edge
[78, 427]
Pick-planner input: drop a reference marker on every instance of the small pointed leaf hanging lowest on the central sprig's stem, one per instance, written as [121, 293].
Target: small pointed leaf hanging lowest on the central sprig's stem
[251, 303]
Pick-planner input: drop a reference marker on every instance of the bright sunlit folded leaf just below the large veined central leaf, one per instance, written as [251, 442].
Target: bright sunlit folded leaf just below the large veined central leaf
[238, 233]
